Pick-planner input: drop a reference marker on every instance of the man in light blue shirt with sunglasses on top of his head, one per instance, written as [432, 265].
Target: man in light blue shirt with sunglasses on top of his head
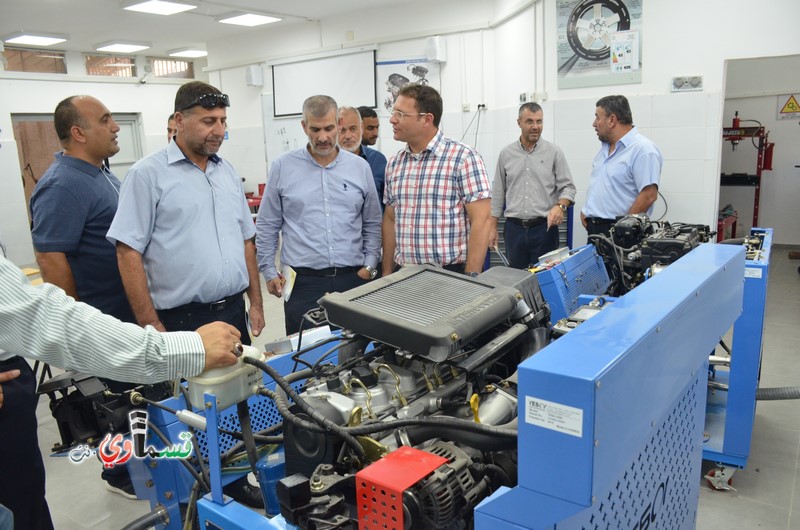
[184, 233]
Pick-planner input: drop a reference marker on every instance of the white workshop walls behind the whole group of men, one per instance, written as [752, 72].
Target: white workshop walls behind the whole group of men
[495, 50]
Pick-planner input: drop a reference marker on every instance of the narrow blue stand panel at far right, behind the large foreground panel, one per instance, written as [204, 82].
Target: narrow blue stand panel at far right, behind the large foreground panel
[730, 415]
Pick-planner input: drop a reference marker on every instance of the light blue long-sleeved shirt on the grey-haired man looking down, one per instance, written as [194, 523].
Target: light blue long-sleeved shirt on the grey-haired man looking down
[328, 216]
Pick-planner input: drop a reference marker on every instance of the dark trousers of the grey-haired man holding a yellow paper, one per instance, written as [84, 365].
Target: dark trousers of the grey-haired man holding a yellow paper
[308, 289]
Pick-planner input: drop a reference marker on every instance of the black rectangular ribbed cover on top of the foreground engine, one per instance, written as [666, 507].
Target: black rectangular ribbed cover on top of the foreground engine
[426, 310]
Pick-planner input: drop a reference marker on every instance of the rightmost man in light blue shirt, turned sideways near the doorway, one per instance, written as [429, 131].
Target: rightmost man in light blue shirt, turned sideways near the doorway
[625, 172]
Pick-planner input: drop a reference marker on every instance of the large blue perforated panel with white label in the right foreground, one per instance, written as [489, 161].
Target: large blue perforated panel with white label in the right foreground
[611, 415]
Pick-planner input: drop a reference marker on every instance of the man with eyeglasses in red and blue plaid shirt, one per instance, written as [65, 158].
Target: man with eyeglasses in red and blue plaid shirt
[437, 192]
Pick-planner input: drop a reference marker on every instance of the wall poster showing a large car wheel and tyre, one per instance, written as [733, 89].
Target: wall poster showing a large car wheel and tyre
[599, 42]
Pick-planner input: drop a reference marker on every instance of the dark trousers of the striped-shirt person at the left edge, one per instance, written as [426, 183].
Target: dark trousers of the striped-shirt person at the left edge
[21, 466]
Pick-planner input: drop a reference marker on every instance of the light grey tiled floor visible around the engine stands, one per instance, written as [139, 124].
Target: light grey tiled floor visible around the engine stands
[767, 492]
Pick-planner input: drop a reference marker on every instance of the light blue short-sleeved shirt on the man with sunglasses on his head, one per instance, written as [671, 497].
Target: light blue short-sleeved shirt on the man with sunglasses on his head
[189, 226]
